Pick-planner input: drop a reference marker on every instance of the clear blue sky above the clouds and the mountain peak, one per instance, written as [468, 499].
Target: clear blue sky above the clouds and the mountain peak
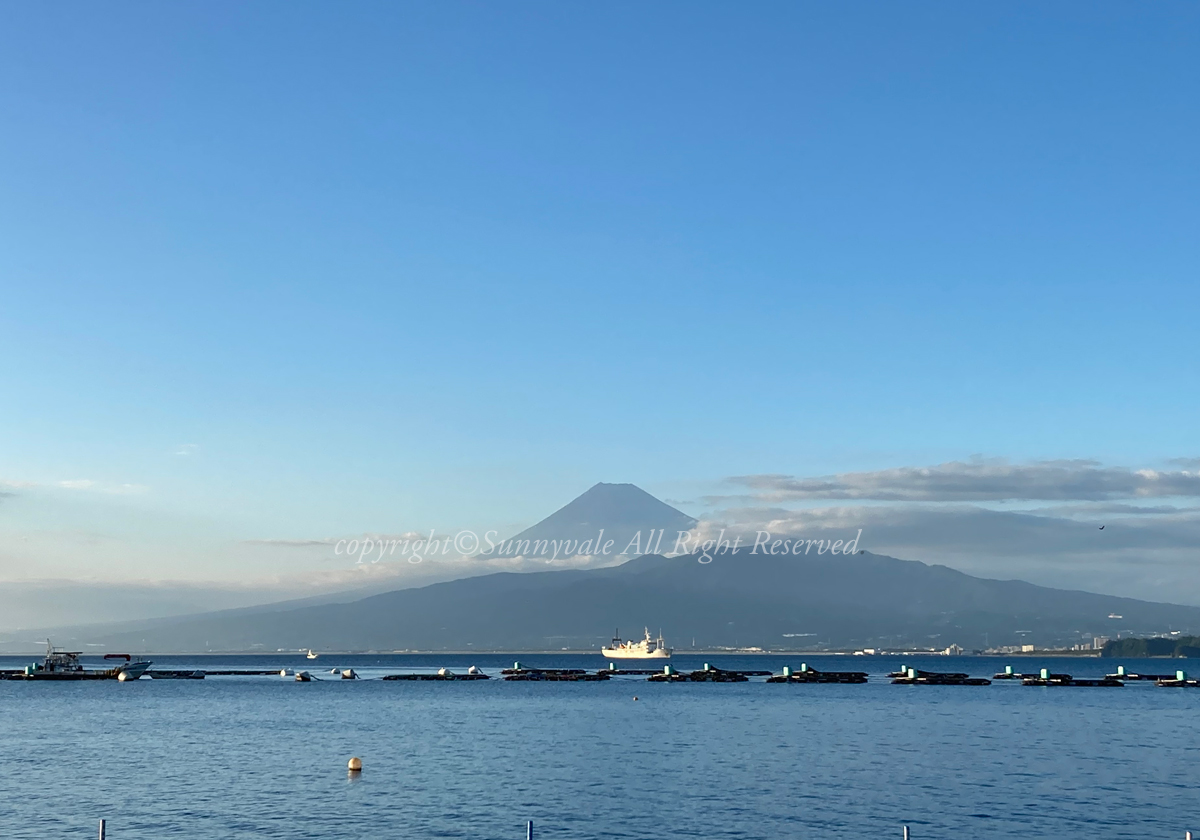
[394, 266]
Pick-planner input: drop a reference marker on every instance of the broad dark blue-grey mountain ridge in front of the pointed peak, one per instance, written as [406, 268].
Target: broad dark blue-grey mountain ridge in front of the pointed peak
[740, 599]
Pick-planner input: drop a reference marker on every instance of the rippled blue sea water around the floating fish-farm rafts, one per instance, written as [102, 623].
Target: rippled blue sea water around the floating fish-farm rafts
[266, 758]
